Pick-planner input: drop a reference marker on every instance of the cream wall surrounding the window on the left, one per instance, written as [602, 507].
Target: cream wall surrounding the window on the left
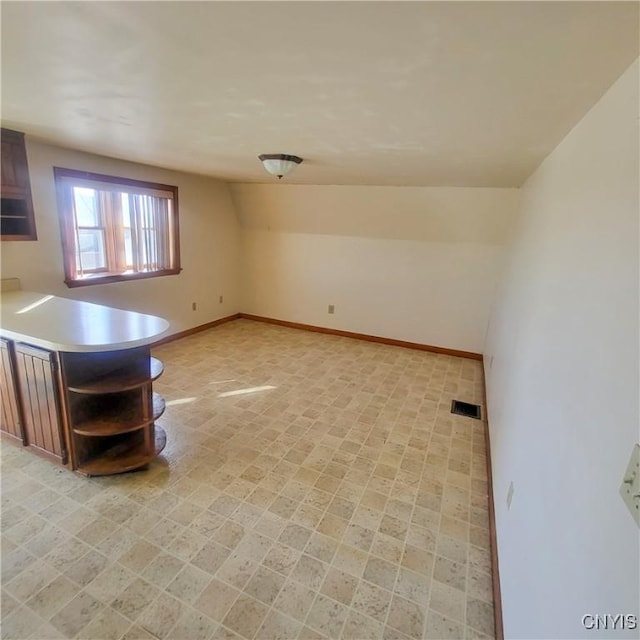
[209, 244]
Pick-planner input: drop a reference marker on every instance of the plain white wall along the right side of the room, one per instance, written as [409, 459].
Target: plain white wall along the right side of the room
[563, 389]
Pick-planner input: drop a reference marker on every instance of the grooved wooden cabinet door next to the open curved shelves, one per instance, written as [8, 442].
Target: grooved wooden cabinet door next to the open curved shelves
[40, 402]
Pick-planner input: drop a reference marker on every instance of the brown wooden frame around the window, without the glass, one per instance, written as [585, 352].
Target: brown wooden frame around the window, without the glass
[62, 177]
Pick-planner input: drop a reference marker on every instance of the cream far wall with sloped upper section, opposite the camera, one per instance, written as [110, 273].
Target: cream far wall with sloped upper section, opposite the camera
[410, 263]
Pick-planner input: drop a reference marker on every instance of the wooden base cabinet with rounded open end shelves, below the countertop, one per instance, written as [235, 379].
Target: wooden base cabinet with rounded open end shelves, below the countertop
[94, 412]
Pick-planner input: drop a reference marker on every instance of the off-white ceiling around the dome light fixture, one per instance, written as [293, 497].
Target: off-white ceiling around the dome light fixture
[387, 93]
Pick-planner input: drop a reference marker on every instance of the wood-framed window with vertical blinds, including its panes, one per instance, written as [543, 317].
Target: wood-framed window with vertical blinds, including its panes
[116, 229]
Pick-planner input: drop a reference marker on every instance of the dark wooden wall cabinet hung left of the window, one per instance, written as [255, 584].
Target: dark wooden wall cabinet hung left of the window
[17, 220]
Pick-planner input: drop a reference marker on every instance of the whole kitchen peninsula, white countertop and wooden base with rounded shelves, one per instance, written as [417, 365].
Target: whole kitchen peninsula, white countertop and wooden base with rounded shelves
[76, 381]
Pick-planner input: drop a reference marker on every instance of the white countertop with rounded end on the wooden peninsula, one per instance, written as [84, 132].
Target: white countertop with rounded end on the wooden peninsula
[61, 324]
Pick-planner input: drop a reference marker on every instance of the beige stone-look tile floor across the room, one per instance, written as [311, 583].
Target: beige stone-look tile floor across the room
[313, 487]
